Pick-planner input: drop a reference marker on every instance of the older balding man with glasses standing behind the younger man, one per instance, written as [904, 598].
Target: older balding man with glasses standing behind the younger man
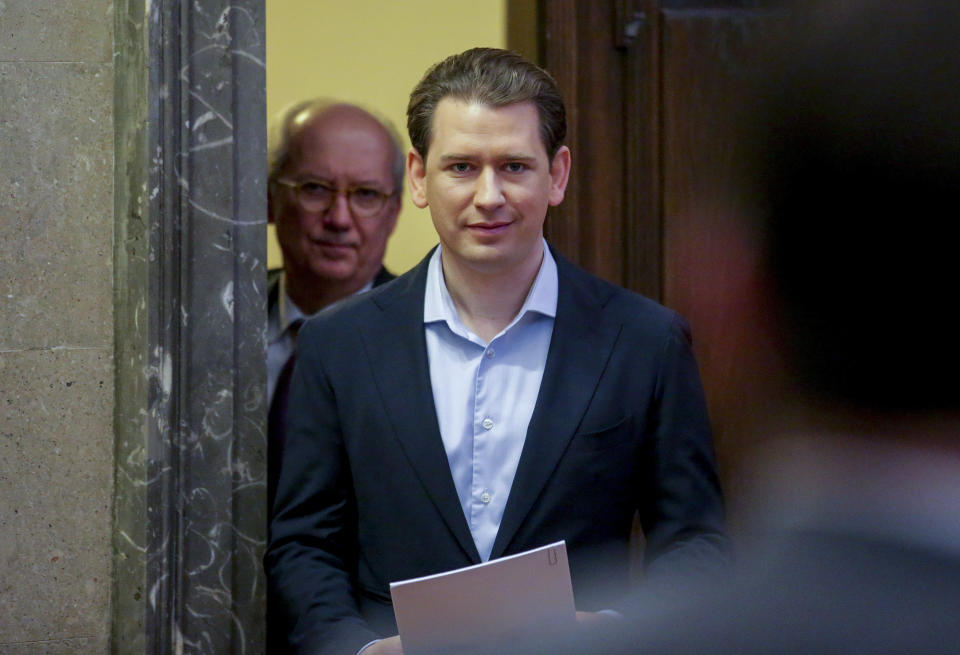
[335, 184]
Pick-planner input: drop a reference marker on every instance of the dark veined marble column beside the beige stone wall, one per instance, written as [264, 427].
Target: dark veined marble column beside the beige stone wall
[190, 315]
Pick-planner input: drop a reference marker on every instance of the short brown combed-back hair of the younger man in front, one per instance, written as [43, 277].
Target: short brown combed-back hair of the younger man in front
[487, 76]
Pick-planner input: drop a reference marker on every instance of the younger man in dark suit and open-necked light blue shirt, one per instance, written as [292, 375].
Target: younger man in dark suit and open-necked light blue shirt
[494, 399]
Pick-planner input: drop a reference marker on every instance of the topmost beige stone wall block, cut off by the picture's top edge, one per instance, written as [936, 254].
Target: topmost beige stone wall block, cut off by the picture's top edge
[55, 30]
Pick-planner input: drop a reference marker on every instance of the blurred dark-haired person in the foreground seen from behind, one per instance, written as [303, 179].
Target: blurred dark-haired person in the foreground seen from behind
[858, 174]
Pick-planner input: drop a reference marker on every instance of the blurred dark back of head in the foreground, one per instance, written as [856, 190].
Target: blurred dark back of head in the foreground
[860, 169]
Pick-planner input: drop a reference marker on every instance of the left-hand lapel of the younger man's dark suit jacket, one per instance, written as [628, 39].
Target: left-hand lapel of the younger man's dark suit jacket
[398, 350]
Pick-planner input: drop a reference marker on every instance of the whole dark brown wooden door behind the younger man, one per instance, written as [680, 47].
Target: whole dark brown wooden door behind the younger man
[649, 85]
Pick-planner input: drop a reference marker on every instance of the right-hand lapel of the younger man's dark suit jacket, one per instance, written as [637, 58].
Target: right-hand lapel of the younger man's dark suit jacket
[579, 349]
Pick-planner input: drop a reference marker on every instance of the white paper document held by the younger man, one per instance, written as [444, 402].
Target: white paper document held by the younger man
[487, 605]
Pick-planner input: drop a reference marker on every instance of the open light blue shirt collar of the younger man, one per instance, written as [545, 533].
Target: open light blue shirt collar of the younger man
[542, 297]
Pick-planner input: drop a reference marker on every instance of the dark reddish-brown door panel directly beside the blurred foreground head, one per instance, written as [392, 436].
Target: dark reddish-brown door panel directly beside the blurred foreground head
[709, 57]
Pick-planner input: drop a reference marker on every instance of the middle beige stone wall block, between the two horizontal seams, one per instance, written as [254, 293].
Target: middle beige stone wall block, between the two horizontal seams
[56, 203]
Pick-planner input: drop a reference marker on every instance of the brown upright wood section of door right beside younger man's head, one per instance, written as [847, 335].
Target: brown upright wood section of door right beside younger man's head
[600, 83]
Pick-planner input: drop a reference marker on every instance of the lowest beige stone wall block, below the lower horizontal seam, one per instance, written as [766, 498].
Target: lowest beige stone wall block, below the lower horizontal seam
[56, 448]
